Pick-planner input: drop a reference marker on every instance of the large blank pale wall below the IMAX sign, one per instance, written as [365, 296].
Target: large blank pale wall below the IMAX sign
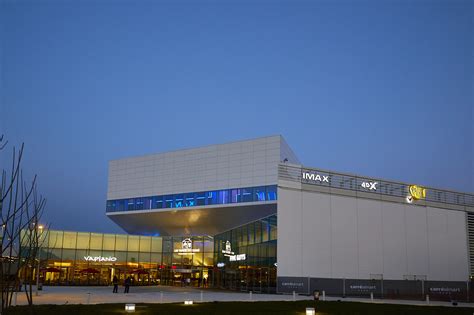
[329, 236]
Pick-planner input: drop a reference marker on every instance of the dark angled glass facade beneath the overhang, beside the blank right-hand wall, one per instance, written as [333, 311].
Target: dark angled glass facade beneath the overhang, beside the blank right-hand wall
[245, 257]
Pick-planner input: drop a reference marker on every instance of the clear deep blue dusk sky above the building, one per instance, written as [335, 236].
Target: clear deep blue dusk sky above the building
[378, 88]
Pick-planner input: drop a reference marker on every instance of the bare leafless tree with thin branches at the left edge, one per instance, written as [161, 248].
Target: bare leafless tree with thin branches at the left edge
[21, 209]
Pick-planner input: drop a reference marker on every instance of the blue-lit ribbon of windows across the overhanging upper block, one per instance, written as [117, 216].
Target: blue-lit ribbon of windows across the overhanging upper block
[195, 199]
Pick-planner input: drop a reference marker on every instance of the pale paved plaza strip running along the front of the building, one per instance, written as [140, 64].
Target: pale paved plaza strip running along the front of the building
[164, 294]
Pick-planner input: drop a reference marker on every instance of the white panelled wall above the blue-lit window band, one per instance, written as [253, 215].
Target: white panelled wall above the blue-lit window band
[232, 165]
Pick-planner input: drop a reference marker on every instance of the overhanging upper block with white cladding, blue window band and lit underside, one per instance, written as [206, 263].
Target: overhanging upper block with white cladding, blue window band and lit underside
[201, 191]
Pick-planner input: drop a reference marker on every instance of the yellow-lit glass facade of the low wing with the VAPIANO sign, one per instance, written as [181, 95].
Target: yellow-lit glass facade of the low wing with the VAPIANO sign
[82, 258]
